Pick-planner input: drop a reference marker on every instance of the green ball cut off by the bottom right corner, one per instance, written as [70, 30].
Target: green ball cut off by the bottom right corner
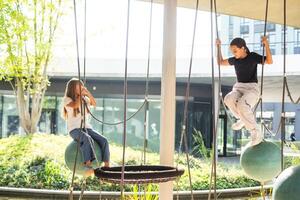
[287, 185]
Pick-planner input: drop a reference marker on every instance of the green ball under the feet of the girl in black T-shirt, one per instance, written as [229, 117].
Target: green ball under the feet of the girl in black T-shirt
[261, 162]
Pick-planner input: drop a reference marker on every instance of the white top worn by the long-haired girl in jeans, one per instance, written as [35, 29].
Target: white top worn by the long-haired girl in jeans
[72, 121]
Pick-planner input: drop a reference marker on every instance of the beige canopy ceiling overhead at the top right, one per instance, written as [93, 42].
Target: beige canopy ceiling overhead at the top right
[253, 9]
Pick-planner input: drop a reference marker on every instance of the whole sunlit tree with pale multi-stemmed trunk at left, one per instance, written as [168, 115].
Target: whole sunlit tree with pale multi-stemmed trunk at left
[27, 30]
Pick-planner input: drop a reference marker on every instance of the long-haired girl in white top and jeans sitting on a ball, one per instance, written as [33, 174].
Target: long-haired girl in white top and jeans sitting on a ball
[72, 115]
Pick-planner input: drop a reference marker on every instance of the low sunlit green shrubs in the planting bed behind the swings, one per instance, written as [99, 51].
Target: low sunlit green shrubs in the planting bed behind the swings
[36, 161]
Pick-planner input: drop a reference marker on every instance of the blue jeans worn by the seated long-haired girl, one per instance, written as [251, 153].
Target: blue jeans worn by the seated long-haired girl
[86, 139]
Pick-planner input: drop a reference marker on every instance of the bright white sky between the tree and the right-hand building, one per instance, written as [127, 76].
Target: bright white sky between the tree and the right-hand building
[106, 30]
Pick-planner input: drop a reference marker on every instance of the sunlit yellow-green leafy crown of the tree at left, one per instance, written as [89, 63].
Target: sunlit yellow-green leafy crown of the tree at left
[26, 35]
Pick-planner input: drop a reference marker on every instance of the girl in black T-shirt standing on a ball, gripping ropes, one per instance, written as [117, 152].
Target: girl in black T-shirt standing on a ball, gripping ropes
[245, 92]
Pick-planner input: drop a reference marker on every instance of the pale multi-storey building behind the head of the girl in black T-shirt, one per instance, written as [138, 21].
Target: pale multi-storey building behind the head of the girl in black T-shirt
[252, 31]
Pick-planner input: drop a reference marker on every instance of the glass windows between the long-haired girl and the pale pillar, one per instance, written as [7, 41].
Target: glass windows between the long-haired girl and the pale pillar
[112, 112]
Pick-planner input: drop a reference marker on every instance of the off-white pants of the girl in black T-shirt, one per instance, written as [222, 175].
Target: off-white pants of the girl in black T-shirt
[241, 101]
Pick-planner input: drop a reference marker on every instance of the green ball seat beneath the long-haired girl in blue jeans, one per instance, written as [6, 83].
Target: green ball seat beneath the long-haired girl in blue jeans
[70, 154]
